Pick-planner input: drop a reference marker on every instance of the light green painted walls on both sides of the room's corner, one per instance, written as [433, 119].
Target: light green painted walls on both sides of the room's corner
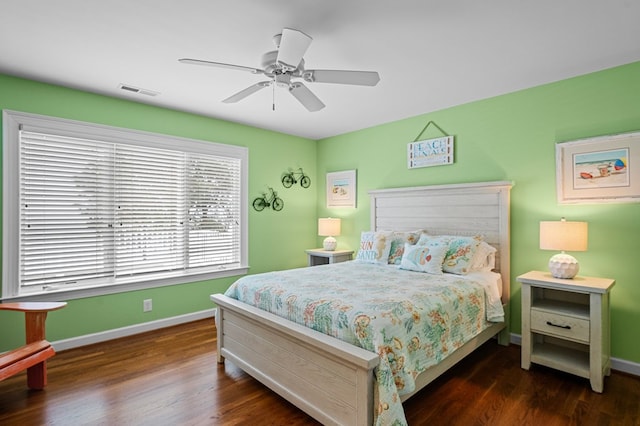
[510, 137]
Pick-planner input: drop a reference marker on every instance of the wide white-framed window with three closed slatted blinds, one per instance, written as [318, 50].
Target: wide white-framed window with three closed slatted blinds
[92, 209]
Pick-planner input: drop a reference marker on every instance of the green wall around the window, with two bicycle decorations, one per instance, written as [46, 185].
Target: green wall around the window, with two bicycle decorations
[277, 240]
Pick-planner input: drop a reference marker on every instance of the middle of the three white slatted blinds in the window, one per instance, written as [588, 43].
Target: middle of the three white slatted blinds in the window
[149, 210]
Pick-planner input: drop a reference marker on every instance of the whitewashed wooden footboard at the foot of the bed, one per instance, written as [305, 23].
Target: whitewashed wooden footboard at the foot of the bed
[330, 380]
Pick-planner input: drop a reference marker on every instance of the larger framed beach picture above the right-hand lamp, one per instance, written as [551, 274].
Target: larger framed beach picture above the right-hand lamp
[599, 170]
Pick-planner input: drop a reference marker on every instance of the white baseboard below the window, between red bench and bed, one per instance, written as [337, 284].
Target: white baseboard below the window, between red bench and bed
[103, 336]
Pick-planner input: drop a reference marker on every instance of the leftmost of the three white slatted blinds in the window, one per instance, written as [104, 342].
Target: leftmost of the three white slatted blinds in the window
[66, 213]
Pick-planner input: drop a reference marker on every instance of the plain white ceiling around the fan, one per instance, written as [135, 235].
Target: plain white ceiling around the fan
[430, 54]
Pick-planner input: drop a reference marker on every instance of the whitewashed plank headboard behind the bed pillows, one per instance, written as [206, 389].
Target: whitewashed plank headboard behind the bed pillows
[458, 209]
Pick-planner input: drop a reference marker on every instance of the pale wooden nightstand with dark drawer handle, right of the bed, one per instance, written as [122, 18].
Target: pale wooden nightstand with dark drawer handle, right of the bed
[565, 324]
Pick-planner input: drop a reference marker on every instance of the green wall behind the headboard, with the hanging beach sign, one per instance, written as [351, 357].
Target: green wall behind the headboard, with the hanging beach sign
[513, 137]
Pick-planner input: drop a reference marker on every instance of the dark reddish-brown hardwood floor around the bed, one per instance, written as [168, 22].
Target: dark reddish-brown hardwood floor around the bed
[170, 377]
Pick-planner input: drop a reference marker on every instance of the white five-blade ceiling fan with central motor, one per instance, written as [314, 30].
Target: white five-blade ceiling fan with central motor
[285, 68]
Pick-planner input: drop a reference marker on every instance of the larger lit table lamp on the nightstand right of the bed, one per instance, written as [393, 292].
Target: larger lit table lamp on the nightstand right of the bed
[563, 235]
